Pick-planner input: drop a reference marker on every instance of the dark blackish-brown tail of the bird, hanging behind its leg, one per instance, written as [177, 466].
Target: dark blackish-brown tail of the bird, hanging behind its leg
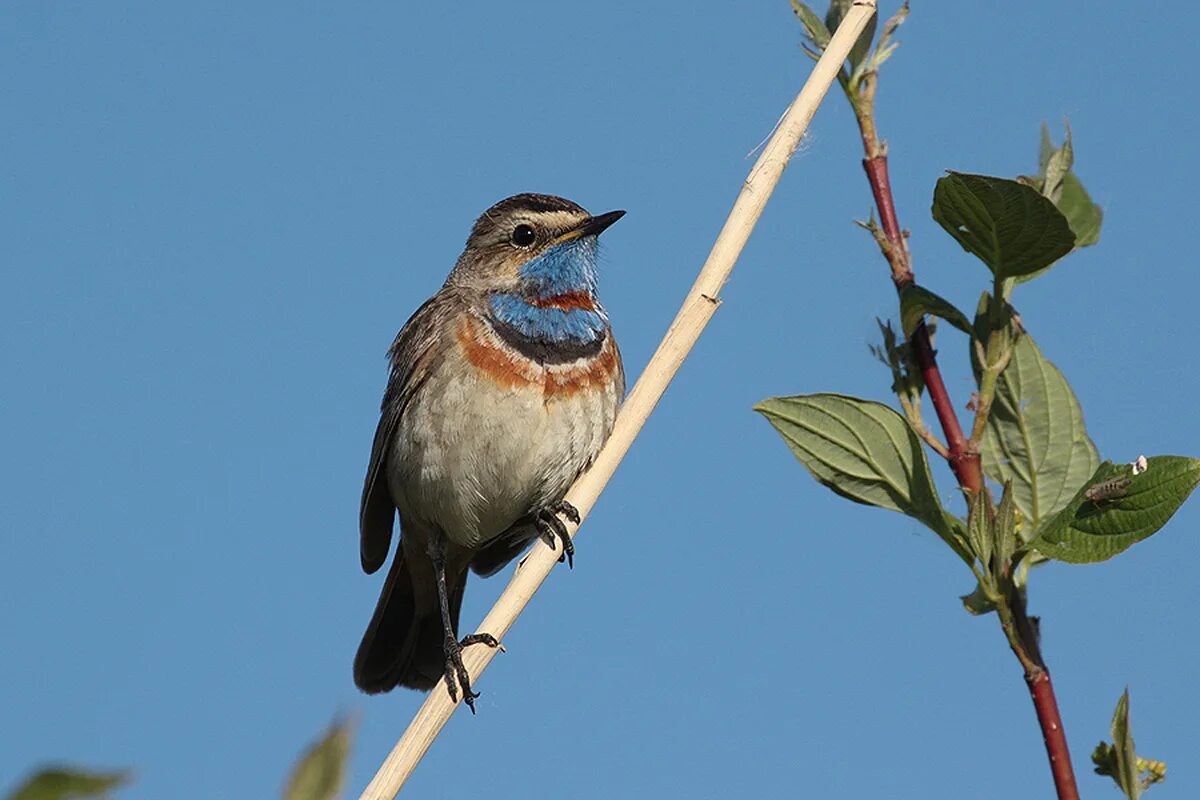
[404, 643]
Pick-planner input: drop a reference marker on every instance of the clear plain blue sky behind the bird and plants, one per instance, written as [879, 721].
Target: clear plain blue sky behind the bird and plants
[214, 219]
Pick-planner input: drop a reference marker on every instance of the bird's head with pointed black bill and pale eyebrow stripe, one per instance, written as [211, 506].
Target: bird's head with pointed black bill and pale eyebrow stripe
[535, 245]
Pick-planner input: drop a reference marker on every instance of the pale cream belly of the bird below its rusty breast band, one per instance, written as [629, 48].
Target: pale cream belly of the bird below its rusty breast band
[472, 458]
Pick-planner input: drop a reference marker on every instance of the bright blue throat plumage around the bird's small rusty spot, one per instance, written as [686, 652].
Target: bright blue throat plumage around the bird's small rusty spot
[561, 270]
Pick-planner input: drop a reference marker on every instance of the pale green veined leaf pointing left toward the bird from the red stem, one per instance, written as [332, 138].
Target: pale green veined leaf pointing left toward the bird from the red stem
[867, 453]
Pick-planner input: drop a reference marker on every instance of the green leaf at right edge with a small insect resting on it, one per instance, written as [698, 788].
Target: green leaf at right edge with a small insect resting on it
[1087, 532]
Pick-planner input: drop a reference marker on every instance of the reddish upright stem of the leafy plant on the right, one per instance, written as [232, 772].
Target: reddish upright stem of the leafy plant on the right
[964, 459]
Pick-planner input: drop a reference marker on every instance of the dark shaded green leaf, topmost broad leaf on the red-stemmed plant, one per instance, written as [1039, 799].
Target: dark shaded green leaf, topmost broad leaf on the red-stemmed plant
[1007, 225]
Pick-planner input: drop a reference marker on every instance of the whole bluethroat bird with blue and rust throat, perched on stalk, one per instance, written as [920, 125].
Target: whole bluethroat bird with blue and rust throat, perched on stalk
[503, 388]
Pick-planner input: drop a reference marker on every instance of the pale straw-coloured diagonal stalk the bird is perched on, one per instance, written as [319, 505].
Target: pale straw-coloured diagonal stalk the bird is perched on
[698, 309]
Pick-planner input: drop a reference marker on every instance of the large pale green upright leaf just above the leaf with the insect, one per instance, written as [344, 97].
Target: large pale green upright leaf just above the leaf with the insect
[1036, 436]
